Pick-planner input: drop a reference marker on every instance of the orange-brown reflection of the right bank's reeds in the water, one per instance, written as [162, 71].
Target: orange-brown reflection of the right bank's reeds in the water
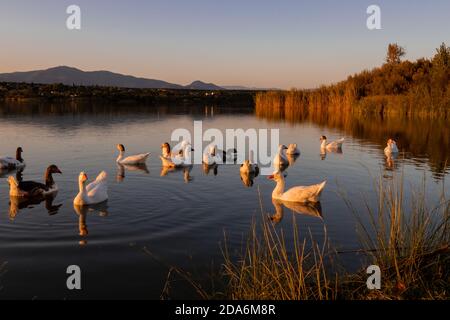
[430, 143]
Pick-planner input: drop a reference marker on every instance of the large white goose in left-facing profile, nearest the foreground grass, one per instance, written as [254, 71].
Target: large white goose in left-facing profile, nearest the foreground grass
[302, 194]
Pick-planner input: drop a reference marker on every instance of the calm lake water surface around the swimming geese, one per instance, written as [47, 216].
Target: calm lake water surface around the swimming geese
[181, 224]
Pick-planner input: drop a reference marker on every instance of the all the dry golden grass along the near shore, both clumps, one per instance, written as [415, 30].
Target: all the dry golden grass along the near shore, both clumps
[408, 241]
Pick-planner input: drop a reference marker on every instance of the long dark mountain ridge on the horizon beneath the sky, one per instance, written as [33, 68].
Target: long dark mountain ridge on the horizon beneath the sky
[70, 76]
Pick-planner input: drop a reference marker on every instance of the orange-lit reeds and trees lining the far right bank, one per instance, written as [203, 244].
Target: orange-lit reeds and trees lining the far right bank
[419, 88]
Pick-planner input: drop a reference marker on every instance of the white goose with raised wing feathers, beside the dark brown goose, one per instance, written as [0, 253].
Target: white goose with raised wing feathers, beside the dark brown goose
[93, 193]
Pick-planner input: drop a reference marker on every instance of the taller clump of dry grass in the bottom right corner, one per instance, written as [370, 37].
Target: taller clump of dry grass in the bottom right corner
[410, 244]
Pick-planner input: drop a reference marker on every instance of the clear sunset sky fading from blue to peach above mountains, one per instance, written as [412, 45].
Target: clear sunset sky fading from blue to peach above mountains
[255, 43]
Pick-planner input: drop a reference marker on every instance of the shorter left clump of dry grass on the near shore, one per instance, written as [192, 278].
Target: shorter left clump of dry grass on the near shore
[267, 271]
